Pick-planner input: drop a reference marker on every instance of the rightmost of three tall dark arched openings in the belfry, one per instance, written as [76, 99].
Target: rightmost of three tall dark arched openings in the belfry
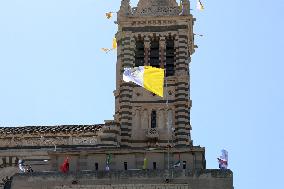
[170, 57]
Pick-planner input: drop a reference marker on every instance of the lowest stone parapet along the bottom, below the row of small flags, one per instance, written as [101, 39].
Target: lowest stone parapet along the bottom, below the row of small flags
[206, 179]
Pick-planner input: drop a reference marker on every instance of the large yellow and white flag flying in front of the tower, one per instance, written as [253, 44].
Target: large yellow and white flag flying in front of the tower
[149, 77]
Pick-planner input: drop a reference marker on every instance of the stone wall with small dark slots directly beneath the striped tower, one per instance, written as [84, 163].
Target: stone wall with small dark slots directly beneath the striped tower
[192, 158]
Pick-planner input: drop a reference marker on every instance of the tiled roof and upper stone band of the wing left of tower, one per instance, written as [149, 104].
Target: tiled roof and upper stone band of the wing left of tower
[59, 135]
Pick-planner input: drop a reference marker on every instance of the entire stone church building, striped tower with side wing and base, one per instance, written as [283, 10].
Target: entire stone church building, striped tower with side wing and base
[145, 126]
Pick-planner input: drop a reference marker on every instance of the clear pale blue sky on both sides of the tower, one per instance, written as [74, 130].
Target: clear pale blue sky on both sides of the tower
[53, 72]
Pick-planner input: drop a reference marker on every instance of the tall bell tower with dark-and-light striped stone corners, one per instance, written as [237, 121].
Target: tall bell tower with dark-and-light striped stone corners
[157, 33]
